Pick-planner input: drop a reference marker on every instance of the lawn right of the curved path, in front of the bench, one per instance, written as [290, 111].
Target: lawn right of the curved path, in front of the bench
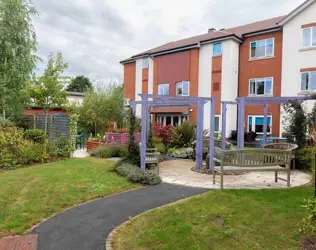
[230, 219]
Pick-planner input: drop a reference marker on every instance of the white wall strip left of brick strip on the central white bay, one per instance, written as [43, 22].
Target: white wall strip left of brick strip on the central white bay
[205, 79]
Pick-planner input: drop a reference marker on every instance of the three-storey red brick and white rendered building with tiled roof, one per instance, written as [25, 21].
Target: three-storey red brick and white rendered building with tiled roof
[274, 57]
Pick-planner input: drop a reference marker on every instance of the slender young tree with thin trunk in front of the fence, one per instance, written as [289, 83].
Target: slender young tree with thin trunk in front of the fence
[47, 91]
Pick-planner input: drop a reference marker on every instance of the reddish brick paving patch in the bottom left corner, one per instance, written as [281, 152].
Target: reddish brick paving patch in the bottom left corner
[25, 242]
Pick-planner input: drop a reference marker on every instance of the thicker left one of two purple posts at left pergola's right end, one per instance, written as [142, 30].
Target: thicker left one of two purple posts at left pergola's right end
[199, 134]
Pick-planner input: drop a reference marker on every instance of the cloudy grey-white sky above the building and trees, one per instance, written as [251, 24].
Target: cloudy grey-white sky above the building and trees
[94, 35]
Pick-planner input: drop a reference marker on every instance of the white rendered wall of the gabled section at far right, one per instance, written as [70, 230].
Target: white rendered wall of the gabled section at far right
[293, 57]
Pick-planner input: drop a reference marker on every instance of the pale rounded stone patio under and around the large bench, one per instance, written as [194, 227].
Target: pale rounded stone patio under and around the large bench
[179, 172]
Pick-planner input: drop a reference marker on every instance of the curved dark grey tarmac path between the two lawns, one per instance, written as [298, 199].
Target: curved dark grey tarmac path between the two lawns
[86, 226]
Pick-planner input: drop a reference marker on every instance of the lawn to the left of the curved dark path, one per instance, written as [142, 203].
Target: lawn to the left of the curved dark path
[28, 195]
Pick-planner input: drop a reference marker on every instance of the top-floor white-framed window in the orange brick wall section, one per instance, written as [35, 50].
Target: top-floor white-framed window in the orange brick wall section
[262, 48]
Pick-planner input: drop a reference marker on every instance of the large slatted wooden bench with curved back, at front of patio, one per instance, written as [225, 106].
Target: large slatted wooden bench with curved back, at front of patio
[263, 160]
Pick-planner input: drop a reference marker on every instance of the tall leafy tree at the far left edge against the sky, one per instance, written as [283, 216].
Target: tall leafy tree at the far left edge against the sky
[17, 53]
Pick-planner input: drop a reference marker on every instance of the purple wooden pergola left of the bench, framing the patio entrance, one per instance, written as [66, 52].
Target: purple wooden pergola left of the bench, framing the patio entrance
[160, 100]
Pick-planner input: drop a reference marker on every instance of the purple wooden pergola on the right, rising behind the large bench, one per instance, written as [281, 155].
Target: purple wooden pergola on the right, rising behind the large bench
[242, 102]
